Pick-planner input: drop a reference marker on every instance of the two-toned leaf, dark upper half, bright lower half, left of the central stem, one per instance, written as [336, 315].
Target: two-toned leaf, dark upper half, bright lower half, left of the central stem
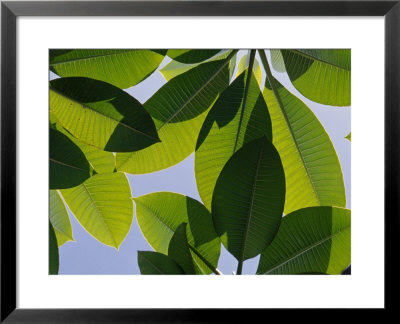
[178, 109]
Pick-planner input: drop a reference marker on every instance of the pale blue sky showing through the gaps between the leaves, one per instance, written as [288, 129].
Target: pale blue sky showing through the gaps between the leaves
[87, 256]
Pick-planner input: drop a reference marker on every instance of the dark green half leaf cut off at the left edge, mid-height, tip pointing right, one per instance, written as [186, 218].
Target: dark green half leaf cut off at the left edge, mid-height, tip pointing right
[68, 165]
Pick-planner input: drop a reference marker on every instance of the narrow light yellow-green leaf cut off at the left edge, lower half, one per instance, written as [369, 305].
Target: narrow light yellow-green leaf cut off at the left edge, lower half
[59, 219]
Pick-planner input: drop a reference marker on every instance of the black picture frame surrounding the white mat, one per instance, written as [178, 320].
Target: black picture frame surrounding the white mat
[10, 10]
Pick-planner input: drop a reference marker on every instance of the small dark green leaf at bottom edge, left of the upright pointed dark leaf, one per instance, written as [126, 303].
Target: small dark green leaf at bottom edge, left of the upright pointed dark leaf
[155, 263]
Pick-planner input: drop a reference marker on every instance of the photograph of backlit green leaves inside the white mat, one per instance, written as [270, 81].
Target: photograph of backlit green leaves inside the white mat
[199, 161]
